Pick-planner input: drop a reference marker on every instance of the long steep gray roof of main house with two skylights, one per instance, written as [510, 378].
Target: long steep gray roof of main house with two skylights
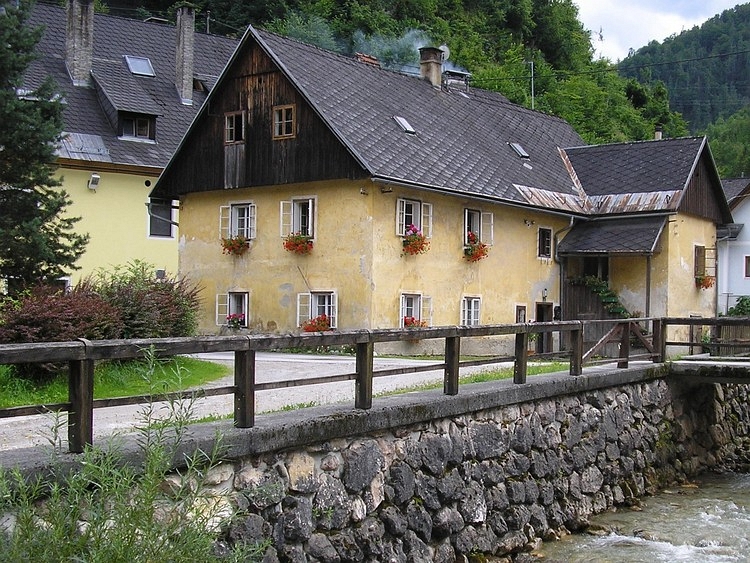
[461, 137]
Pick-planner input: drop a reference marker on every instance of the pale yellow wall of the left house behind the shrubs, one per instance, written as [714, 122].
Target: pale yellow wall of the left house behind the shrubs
[116, 219]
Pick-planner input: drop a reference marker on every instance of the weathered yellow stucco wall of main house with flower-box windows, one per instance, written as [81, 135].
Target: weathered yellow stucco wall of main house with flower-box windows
[358, 254]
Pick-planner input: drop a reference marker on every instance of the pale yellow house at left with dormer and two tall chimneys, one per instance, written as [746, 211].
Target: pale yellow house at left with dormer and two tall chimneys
[131, 89]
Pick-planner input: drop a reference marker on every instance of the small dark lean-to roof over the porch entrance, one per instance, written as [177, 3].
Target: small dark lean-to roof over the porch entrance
[625, 235]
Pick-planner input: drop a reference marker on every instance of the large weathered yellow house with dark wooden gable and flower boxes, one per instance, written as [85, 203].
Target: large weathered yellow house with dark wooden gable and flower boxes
[314, 186]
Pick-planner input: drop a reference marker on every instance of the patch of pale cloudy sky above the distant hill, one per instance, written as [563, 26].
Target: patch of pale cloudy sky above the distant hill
[636, 23]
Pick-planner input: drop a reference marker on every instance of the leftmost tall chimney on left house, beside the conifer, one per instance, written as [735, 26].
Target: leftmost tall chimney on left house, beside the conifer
[79, 41]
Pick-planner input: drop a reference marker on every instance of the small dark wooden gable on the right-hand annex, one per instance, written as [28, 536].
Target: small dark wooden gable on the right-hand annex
[704, 196]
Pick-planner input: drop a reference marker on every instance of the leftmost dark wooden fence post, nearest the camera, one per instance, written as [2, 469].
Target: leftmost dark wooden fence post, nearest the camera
[81, 397]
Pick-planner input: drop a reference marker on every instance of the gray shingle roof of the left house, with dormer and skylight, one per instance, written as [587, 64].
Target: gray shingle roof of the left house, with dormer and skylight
[115, 37]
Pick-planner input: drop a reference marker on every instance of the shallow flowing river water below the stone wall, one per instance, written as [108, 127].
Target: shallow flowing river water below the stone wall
[704, 522]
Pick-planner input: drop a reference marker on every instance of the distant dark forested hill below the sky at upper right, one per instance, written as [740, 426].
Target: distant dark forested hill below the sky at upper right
[706, 69]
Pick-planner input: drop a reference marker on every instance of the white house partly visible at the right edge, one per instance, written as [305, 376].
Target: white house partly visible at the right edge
[733, 242]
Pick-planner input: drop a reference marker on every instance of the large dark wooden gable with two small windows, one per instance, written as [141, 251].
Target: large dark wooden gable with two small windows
[254, 84]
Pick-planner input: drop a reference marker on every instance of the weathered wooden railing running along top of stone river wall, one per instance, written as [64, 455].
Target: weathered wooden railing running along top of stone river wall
[81, 355]
